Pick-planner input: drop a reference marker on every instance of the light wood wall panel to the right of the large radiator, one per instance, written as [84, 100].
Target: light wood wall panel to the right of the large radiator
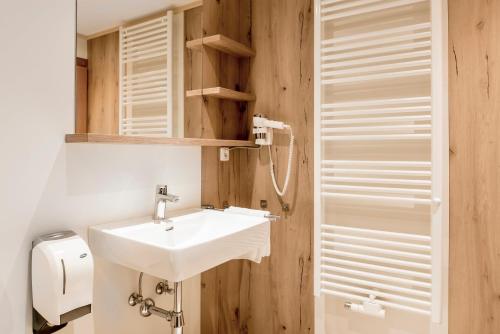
[474, 44]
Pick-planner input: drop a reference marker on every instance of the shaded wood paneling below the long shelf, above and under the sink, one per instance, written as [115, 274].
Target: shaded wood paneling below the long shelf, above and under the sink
[223, 184]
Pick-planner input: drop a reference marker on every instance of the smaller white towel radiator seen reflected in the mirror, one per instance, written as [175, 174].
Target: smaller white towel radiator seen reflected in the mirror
[146, 78]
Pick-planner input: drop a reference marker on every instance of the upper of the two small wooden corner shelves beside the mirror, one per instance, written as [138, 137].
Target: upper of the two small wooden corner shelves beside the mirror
[223, 44]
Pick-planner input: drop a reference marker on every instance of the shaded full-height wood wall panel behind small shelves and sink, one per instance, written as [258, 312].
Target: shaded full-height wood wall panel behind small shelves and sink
[224, 182]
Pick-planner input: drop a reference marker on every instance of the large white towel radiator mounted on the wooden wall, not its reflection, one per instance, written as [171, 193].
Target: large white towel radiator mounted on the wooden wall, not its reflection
[381, 153]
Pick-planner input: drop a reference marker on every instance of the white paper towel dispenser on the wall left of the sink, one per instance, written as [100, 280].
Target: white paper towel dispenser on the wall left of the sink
[62, 272]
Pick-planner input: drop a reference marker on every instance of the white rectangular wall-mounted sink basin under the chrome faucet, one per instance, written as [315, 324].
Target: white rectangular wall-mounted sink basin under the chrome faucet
[186, 245]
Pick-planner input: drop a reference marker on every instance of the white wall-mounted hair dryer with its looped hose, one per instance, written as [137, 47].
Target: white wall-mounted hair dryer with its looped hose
[263, 132]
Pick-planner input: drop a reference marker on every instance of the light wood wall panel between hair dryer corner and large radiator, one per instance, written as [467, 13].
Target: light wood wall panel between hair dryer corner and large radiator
[281, 289]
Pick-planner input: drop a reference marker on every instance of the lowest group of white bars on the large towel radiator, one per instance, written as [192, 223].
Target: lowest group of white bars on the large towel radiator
[394, 267]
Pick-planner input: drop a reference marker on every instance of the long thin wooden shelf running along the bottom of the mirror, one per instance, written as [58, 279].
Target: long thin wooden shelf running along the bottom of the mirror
[116, 139]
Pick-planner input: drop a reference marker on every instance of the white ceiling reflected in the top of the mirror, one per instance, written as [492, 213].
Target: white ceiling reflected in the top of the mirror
[95, 16]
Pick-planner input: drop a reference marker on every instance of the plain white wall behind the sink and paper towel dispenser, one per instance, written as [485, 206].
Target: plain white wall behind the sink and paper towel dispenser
[46, 185]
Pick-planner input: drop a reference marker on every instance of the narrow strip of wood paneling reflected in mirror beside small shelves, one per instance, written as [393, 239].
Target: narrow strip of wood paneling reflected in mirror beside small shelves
[193, 107]
